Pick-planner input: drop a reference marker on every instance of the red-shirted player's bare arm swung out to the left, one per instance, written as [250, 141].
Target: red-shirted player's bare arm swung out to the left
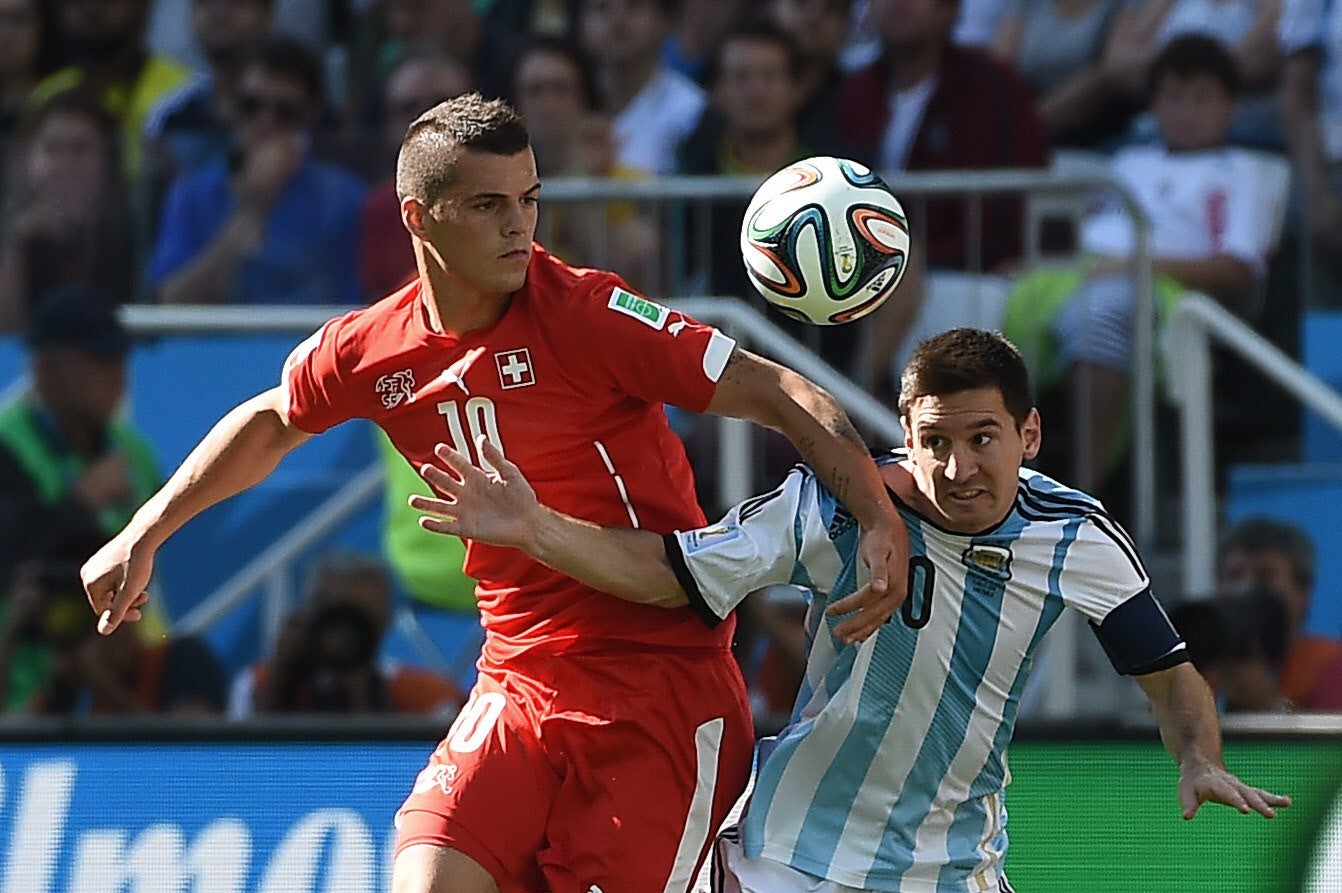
[241, 451]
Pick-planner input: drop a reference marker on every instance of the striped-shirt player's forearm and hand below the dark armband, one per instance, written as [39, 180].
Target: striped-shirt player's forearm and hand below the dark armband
[1187, 716]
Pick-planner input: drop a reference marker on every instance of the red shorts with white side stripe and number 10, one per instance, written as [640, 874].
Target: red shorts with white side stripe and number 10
[578, 773]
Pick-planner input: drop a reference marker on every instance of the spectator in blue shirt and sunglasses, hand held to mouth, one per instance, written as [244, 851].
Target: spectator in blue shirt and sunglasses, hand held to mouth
[272, 225]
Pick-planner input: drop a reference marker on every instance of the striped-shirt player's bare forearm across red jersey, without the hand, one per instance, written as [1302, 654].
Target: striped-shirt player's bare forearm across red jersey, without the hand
[629, 565]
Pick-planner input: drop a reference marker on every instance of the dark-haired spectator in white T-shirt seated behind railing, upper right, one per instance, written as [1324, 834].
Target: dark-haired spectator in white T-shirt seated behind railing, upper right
[1211, 232]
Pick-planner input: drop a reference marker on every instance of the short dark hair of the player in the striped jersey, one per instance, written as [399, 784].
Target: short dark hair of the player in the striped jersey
[966, 361]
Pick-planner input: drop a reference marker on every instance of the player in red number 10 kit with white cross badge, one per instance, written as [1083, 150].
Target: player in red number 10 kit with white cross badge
[605, 741]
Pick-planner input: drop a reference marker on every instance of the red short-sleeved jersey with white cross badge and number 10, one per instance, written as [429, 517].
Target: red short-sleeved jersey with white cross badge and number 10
[571, 385]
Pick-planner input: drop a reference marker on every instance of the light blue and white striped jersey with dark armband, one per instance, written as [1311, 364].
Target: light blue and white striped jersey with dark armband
[890, 774]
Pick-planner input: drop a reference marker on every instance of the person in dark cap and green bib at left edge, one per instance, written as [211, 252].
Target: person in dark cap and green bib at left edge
[72, 472]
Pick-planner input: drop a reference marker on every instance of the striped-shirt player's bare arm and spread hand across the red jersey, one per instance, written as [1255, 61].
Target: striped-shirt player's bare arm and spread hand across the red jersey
[501, 508]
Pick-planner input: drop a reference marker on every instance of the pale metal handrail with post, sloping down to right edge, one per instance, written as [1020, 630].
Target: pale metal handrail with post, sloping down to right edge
[1188, 352]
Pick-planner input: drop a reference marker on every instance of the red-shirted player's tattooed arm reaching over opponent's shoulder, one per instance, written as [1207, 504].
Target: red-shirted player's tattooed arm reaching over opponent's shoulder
[778, 398]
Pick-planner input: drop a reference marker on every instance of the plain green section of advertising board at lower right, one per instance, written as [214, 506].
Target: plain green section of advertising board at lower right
[1104, 817]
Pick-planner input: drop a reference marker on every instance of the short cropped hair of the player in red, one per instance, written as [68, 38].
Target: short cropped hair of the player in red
[437, 139]
